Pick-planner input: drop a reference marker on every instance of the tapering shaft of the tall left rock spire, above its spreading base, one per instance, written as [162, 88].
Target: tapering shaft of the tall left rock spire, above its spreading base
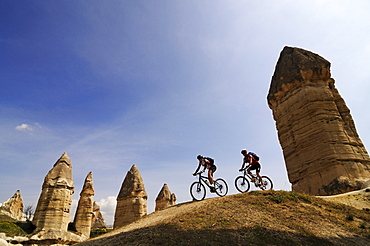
[52, 211]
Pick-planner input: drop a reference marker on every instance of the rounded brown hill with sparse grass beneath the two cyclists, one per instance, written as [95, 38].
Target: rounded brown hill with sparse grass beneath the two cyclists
[255, 218]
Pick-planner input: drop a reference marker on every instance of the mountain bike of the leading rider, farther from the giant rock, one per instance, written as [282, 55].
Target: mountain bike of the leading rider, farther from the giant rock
[198, 190]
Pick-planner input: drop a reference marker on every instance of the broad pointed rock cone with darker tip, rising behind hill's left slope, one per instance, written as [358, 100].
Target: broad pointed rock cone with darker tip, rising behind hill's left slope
[131, 200]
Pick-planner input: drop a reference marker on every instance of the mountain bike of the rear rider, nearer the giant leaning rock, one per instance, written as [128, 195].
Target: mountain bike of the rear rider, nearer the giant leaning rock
[242, 182]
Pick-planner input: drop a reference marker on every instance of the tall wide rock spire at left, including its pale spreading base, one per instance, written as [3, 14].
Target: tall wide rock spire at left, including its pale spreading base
[52, 212]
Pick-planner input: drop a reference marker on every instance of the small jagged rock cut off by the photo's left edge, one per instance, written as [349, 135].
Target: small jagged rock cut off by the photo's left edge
[13, 207]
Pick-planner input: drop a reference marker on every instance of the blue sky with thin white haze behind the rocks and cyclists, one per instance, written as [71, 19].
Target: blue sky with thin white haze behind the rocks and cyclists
[155, 83]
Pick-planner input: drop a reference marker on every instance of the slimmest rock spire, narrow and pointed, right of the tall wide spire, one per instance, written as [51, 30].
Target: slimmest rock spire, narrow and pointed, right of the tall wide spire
[84, 213]
